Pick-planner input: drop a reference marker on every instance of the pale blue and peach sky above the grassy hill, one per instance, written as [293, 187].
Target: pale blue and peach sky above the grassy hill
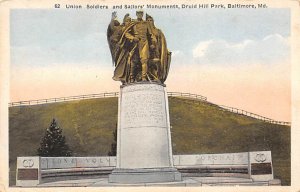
[239, 58]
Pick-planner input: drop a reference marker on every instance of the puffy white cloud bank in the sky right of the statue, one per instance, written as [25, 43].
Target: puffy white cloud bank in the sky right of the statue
[271, 49]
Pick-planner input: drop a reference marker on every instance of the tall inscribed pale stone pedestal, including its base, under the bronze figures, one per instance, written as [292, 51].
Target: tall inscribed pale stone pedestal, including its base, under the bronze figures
[144, 151]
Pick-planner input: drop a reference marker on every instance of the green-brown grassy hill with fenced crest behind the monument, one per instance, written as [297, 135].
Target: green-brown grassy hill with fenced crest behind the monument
[197, 127]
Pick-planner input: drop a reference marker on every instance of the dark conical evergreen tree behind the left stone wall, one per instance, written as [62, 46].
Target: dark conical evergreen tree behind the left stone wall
[53, 143]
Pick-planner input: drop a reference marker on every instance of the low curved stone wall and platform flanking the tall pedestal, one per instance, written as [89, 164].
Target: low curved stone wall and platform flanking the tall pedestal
[244, 168]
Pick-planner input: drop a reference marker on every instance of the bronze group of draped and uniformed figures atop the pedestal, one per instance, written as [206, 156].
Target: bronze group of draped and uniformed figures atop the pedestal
[139, 49]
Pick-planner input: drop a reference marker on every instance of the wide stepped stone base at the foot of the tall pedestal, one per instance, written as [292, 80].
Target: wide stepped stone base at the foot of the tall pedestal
[151, 175]
